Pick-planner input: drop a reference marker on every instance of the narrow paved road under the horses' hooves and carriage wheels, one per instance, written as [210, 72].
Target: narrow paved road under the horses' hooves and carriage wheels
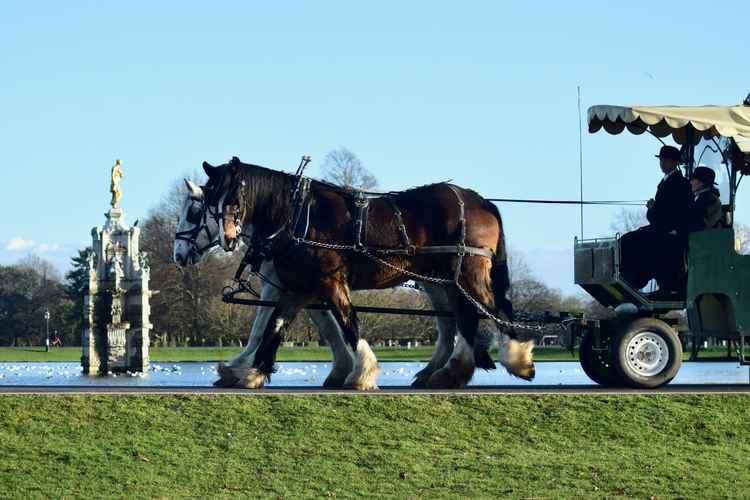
[385, 391]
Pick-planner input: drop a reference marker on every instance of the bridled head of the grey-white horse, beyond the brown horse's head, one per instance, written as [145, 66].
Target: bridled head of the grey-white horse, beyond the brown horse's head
[197, 231]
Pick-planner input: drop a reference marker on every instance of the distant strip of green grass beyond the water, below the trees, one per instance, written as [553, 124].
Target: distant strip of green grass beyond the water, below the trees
[309, 353]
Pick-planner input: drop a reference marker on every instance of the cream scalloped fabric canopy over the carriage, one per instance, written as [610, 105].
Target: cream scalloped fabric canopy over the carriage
[709, 121]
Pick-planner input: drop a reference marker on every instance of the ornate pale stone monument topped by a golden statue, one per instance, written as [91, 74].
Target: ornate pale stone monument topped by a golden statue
[116, 305]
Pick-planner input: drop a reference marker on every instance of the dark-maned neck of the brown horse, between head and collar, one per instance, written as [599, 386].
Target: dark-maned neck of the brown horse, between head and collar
[268, 200]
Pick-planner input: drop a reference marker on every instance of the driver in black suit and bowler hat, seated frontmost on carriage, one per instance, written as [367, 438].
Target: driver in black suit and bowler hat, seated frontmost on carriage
[653, 251]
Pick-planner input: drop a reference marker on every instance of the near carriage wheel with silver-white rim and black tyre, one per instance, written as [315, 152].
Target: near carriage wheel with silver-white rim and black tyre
[648, 354]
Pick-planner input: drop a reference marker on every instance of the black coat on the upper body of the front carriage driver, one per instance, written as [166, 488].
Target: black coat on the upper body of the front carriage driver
[673, 199]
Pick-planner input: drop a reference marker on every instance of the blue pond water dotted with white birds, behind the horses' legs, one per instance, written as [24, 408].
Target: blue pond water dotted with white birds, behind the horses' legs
[304, 374]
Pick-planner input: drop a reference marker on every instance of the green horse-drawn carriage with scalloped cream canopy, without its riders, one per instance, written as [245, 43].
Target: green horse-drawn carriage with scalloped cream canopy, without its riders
[641, 347]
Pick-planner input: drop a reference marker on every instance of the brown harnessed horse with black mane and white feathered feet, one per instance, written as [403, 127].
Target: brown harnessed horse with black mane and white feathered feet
[439, 231]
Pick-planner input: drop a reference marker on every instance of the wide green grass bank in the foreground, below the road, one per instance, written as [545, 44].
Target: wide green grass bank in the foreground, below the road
[390, 447]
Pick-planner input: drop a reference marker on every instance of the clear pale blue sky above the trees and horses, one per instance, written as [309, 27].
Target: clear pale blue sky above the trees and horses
[481, 93]
